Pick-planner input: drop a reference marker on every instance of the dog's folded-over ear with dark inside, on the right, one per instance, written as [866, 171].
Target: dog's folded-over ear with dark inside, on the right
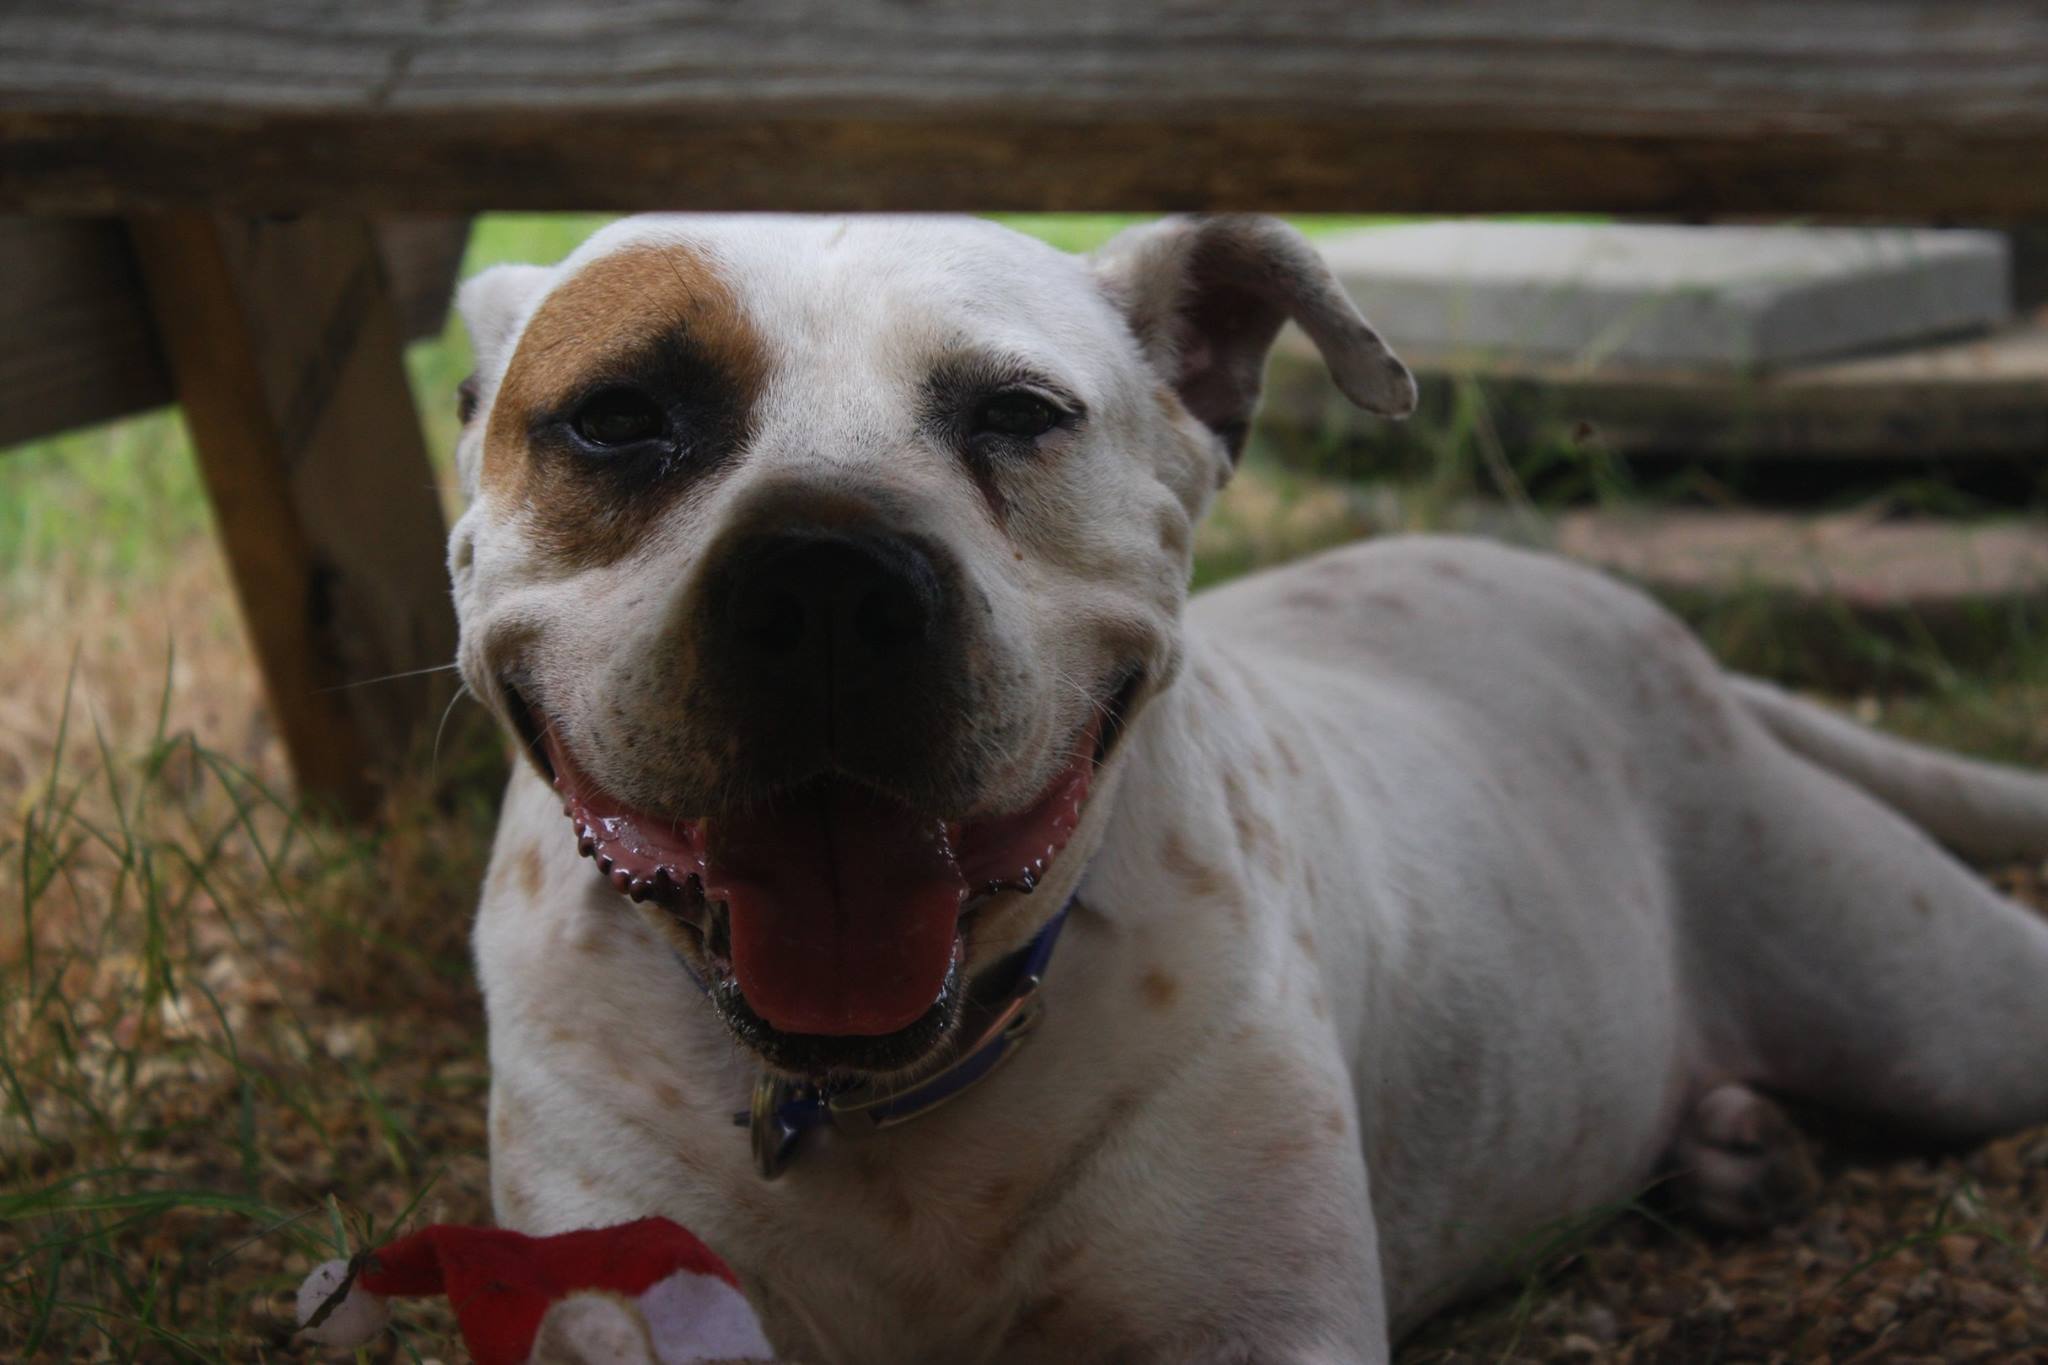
[1207, 298]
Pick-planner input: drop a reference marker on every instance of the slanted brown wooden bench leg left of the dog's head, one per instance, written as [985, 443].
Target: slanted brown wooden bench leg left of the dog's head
[286, 349]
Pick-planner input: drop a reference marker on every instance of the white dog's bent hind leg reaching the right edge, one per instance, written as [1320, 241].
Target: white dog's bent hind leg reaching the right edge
[1842, 957]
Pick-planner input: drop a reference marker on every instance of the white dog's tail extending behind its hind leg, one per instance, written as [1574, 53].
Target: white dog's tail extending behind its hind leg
[1981, 811]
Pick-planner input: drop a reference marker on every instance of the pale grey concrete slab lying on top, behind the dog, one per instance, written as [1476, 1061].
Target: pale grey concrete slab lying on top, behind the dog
[1670, 296]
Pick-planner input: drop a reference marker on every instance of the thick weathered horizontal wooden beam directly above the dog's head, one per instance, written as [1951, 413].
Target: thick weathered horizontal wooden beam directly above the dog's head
[1848, 107]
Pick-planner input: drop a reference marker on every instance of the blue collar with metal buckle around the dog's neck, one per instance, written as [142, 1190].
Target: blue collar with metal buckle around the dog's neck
[787, 1110]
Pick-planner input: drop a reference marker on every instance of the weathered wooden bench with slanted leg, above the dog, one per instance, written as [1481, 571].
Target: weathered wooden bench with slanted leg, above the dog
[157, 140]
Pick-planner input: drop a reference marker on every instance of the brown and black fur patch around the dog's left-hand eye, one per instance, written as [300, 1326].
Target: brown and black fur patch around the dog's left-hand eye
[648, 318]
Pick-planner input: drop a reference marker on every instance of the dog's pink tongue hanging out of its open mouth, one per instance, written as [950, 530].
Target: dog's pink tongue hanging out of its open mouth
[843, 906]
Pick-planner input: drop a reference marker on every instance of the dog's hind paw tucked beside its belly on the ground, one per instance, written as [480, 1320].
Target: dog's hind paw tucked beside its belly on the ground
[1742, 1163]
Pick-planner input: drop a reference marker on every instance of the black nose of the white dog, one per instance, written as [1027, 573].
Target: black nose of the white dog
[849, 603]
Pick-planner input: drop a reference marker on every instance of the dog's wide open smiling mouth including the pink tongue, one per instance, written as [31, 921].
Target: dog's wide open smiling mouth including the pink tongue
[833, 912]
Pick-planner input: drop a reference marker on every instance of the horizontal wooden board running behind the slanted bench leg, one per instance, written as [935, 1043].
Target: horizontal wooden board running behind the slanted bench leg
[77, 341]
